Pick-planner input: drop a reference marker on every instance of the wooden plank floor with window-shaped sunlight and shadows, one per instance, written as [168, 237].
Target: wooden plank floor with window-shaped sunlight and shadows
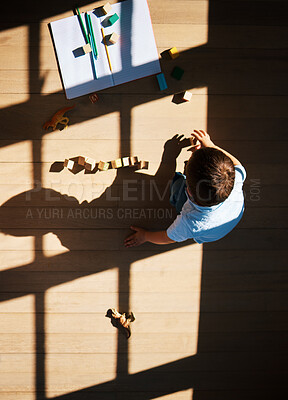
[211, 321]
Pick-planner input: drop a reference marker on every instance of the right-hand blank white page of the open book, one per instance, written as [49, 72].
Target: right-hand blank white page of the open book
[135, 54]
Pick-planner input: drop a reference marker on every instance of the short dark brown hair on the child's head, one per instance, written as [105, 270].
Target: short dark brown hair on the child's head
[210, 176]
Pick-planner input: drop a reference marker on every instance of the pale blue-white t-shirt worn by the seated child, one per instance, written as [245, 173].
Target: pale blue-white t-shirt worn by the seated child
[207, 224]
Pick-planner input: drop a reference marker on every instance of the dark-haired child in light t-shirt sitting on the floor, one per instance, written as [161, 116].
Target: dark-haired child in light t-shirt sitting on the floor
[209, 199]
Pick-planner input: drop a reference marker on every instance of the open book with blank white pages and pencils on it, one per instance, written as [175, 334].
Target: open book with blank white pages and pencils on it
[132, 57]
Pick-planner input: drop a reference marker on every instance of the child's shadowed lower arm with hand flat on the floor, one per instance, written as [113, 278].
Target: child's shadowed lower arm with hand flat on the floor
[142, 235]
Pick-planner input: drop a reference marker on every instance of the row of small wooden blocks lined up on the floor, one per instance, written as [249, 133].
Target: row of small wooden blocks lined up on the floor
[90, 164]
